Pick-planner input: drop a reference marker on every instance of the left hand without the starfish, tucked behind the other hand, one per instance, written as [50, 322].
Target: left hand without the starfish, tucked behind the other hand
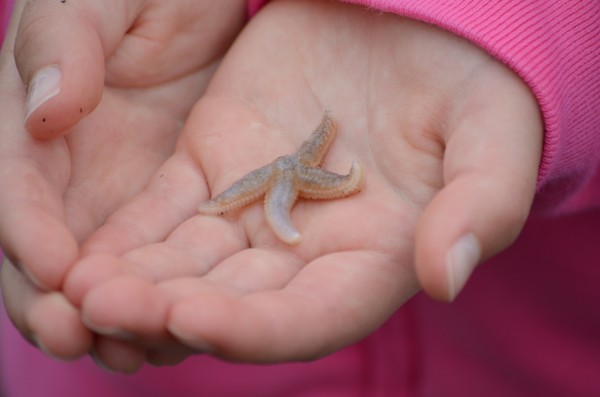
[93, 96]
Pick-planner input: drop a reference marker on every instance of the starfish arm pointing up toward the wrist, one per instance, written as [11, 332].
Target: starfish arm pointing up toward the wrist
[312, 152]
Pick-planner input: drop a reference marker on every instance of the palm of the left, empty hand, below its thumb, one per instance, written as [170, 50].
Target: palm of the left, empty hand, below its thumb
[112, 158]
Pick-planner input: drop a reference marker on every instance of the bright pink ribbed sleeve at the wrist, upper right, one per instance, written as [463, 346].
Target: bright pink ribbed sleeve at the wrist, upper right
[554, 46]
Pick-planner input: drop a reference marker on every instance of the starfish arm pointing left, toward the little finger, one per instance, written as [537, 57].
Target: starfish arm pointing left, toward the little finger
[243, 192]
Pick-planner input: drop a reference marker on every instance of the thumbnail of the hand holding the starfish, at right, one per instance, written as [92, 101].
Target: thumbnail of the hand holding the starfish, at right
[460, 263]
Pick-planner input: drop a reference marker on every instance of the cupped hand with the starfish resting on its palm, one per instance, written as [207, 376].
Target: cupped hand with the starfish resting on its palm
[450, 140]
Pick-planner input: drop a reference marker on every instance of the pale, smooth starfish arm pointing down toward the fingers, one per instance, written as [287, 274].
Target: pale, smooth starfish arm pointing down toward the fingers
[278, 204]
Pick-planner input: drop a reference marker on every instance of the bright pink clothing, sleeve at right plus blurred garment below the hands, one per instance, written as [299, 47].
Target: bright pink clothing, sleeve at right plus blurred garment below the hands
[526, 325]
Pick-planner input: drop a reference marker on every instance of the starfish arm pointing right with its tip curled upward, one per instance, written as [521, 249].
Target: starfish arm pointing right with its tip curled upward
[320, 184]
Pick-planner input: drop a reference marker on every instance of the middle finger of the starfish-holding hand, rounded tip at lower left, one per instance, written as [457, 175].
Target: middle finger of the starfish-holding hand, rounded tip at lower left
[118, 308]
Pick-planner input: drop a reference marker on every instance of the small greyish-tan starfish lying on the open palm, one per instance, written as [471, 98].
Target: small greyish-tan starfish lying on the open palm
[286, 179]
